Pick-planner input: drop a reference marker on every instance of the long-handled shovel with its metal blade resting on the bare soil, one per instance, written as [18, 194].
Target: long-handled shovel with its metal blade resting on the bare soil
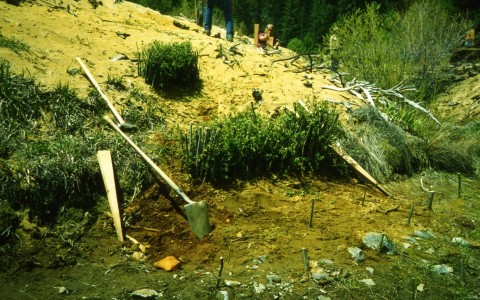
[197, 212]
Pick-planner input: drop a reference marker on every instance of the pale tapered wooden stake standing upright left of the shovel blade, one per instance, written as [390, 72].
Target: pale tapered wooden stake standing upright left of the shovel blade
[106, 167]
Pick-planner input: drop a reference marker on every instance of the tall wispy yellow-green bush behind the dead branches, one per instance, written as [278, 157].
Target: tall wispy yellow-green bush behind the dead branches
[411, 48]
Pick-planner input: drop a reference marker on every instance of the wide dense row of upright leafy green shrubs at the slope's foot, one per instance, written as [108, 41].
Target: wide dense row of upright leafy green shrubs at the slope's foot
[247, 144]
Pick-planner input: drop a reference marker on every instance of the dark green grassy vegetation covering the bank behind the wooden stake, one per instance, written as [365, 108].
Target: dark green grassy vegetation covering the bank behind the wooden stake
[48, 145]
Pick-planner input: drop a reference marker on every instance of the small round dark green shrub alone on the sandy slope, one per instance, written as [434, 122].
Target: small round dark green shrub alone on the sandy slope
[169, 66]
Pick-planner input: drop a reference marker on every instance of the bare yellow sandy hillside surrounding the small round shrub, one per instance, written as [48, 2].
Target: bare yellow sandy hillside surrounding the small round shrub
[97, 35]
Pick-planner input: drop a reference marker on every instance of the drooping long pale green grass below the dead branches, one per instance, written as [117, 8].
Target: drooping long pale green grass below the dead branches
[384, 149]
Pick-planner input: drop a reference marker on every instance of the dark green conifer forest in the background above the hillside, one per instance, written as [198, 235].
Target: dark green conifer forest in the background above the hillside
[298, 20]
